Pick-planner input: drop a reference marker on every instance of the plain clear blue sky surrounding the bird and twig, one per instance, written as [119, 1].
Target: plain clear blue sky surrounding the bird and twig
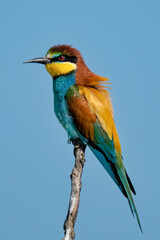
[119, 40]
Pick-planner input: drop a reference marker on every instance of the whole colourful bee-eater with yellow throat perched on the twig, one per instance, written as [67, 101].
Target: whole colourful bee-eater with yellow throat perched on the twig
[82, 104]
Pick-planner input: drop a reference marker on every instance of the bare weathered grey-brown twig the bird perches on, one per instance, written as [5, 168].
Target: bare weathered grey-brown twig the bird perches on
[79, 151]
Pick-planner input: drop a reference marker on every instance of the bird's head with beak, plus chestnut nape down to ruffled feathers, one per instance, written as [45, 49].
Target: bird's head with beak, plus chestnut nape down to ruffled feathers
[64, 60]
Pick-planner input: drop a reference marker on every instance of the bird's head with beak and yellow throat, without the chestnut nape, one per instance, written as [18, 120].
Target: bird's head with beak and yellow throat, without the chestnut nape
[59, 60]
